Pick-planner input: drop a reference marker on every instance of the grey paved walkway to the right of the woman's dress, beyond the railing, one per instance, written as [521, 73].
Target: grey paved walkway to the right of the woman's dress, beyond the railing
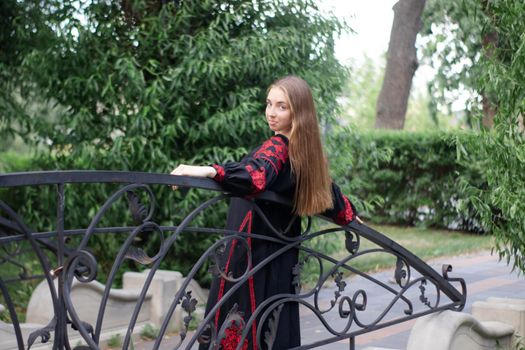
[484, 275]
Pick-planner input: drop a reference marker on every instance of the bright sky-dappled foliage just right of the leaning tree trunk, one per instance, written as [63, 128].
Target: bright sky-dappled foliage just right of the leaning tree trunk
[452, 44]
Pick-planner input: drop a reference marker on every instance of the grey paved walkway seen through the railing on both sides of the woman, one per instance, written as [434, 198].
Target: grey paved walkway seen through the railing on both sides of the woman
[484, 275]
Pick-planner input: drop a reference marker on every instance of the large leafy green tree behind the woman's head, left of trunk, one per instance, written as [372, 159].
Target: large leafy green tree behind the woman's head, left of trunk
[144, 85]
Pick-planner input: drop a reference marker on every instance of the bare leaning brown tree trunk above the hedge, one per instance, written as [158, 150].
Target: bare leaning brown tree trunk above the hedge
[401, 65]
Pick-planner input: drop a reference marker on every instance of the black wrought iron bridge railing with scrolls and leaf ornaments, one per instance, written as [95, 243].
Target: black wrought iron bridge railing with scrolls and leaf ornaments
[348, 312]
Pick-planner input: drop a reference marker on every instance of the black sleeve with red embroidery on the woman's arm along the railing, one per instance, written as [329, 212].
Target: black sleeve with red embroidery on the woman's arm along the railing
[256, 172]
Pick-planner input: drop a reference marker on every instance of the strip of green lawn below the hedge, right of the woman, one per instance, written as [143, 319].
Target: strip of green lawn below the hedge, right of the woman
[426, 243]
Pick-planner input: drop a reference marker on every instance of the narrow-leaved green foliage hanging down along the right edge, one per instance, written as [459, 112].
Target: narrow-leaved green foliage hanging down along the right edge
[503, 148]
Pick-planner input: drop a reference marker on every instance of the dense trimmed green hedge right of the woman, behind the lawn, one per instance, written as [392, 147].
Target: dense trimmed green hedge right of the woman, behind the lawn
[407, 178]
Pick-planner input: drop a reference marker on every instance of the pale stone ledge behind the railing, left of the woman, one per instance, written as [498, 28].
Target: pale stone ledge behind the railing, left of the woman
[86, 298]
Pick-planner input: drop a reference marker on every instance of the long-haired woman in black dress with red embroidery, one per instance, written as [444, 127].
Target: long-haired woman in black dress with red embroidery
[291, 163]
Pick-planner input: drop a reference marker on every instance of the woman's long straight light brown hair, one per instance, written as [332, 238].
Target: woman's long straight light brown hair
[313, 193]
